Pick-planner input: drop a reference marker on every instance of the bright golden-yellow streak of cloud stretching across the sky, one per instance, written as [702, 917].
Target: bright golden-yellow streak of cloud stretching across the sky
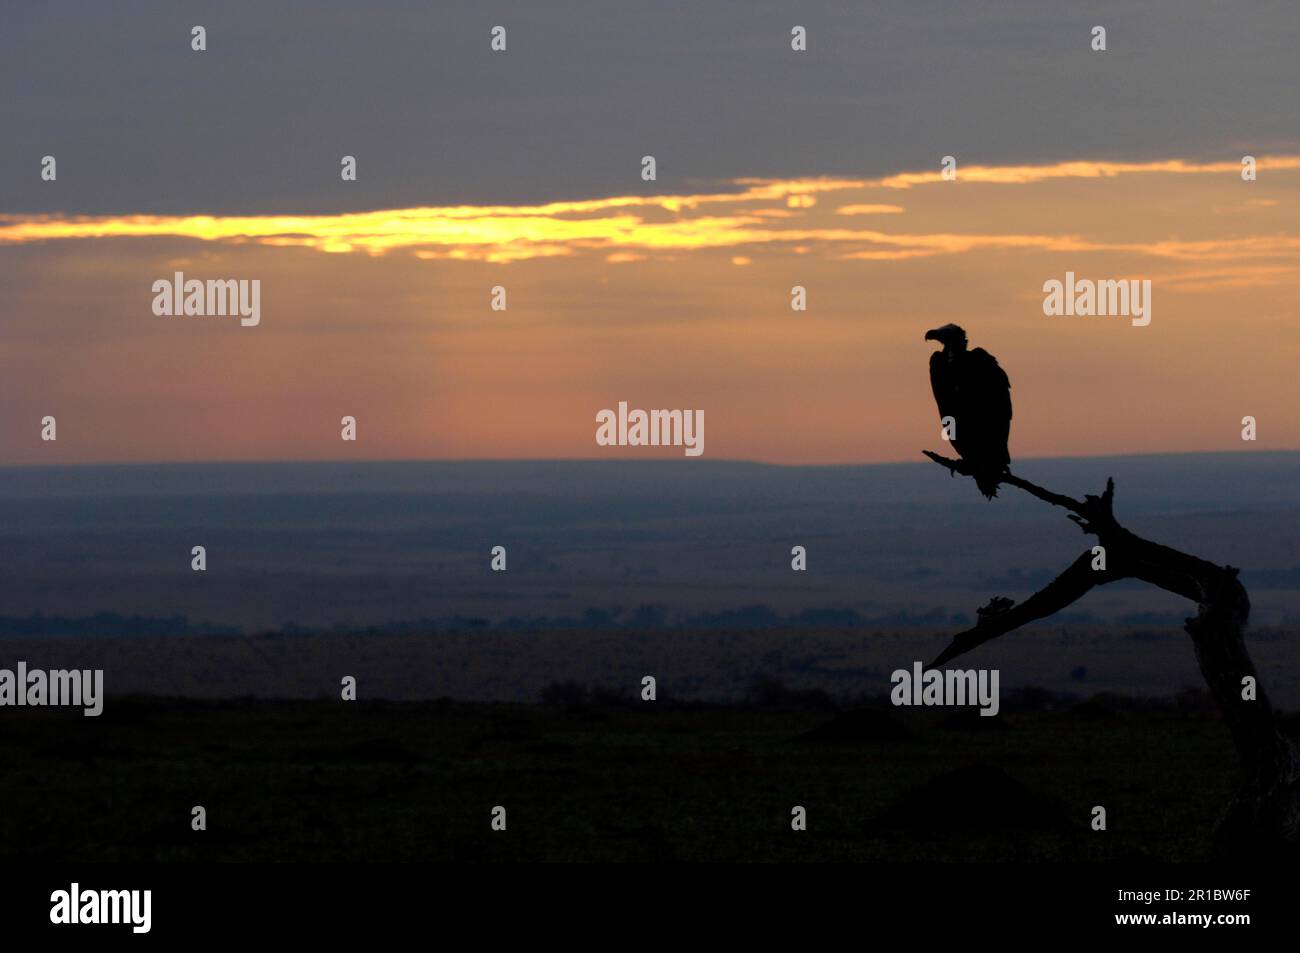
[746, 213]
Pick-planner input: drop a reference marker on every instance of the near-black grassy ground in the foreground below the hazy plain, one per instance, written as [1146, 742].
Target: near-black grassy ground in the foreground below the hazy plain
[583, 781]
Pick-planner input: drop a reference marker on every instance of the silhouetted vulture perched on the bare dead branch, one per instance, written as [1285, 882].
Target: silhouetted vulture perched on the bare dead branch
[973, 391]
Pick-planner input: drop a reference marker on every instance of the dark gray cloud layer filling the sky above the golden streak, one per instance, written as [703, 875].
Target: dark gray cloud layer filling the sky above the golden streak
[258, 124]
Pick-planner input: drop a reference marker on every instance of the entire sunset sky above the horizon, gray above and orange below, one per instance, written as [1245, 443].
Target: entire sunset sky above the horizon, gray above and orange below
[522, 170]
